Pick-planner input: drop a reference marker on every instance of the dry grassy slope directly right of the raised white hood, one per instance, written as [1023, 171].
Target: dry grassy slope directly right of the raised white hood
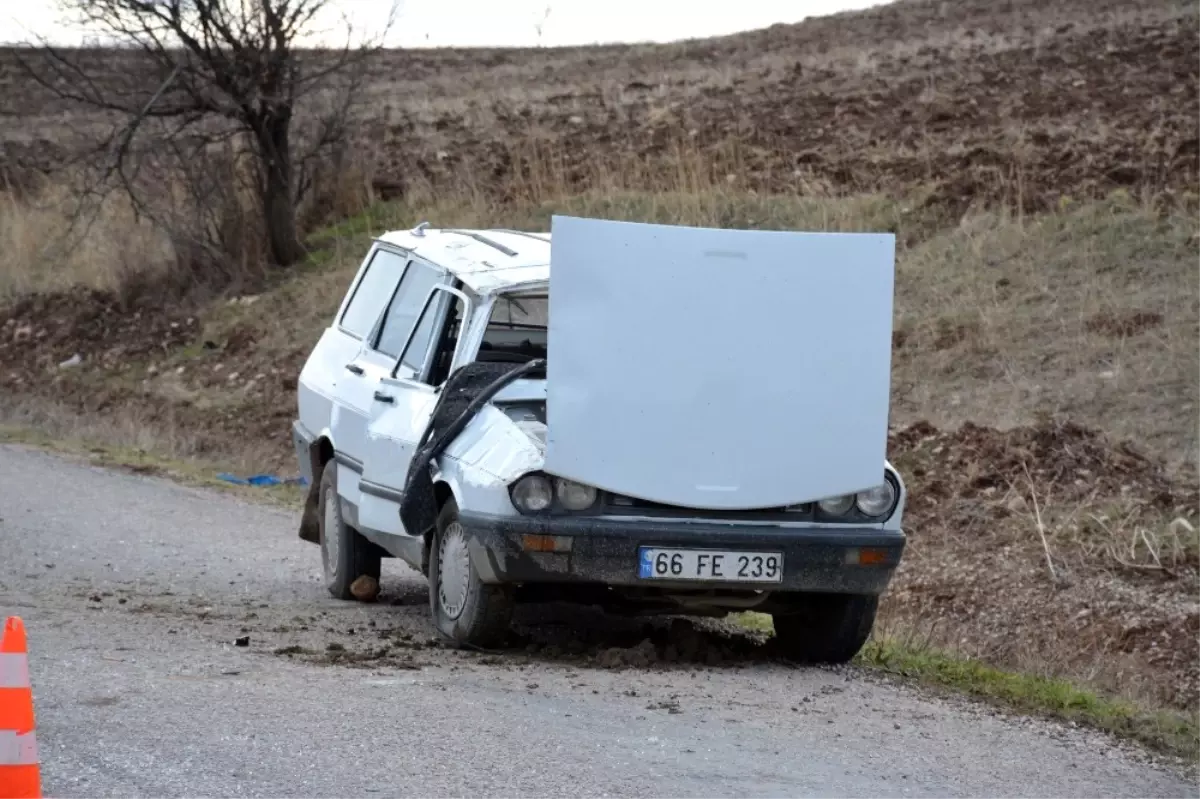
[1004, 320]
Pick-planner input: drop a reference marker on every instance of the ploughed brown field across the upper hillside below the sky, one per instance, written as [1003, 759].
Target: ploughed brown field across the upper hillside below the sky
[1022, 103]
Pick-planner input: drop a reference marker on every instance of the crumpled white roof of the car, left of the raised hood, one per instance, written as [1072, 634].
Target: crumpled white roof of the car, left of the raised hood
[487, 262]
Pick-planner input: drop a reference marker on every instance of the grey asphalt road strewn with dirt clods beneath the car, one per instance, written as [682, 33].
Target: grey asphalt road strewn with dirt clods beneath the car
[135, 590]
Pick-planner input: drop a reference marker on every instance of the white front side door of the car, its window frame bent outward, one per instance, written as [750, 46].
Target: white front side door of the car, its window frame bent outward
[405, 402]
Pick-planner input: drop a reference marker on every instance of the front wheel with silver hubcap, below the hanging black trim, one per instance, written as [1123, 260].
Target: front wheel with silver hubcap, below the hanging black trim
[466, 610]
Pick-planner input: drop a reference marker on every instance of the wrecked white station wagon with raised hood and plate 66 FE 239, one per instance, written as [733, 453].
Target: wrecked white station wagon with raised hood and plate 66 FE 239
[670, 420]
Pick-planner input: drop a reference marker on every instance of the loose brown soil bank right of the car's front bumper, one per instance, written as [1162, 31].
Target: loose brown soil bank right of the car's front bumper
[977, 575]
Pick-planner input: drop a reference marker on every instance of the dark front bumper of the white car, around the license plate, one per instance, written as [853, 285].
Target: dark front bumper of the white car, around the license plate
[604, 550]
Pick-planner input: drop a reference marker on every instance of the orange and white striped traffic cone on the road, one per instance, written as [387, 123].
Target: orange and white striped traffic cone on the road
[20, 776]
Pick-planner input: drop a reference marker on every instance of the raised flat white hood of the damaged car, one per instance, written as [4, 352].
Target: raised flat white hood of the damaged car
[718, 369]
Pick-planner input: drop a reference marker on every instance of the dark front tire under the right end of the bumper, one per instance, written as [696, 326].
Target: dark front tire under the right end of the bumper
[825, 628]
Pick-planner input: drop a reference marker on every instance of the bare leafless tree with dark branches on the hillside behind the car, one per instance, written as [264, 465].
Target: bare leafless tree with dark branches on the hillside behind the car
[189, 76]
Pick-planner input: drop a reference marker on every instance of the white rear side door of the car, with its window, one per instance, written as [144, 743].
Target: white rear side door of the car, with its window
[358, 376]
